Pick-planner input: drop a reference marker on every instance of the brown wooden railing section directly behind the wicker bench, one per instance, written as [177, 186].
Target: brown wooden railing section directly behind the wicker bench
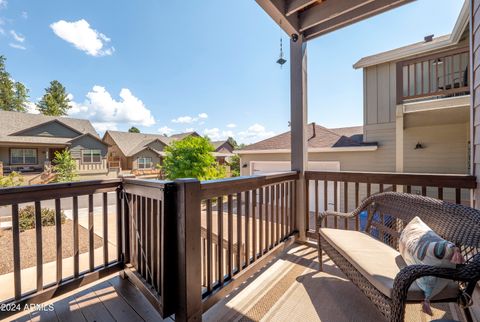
[343, 191]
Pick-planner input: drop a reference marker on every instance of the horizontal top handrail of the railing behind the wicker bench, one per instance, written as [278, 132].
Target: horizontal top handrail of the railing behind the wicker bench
[407, 179]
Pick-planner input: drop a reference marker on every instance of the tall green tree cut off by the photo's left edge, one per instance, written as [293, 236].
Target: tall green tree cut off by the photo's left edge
[13, 95]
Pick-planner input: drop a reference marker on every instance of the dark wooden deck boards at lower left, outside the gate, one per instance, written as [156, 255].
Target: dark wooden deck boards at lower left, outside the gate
[109, 299]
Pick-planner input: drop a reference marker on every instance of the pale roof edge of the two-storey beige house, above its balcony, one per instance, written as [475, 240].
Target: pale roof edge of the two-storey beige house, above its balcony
[438, 43]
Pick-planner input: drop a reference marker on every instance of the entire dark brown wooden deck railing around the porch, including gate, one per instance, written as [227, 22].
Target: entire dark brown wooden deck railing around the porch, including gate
[186, 243]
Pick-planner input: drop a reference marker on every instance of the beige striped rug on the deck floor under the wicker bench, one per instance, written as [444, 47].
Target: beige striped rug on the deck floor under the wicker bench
[292, 289]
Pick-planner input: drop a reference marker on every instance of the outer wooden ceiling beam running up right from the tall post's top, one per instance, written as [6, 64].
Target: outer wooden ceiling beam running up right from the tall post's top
[360, 13]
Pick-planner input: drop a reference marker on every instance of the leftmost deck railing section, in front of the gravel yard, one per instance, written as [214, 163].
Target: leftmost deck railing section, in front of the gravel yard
[84, 267]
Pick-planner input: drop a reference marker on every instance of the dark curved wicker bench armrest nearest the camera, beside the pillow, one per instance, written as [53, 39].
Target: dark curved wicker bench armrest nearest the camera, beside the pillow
[464, 273]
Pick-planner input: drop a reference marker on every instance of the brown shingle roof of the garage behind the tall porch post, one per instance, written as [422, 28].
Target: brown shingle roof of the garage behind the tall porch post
[318, 137]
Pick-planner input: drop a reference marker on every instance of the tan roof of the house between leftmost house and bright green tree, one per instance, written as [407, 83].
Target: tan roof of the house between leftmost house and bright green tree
[132, 143]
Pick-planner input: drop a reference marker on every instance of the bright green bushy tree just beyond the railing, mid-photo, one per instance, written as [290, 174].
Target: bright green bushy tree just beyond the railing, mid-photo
[192, 158]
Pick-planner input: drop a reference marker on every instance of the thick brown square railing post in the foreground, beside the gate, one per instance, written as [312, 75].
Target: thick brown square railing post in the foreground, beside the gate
[188, 226]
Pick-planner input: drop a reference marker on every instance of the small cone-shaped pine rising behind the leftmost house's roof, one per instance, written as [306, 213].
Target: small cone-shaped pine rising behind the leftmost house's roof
[55, 101]
